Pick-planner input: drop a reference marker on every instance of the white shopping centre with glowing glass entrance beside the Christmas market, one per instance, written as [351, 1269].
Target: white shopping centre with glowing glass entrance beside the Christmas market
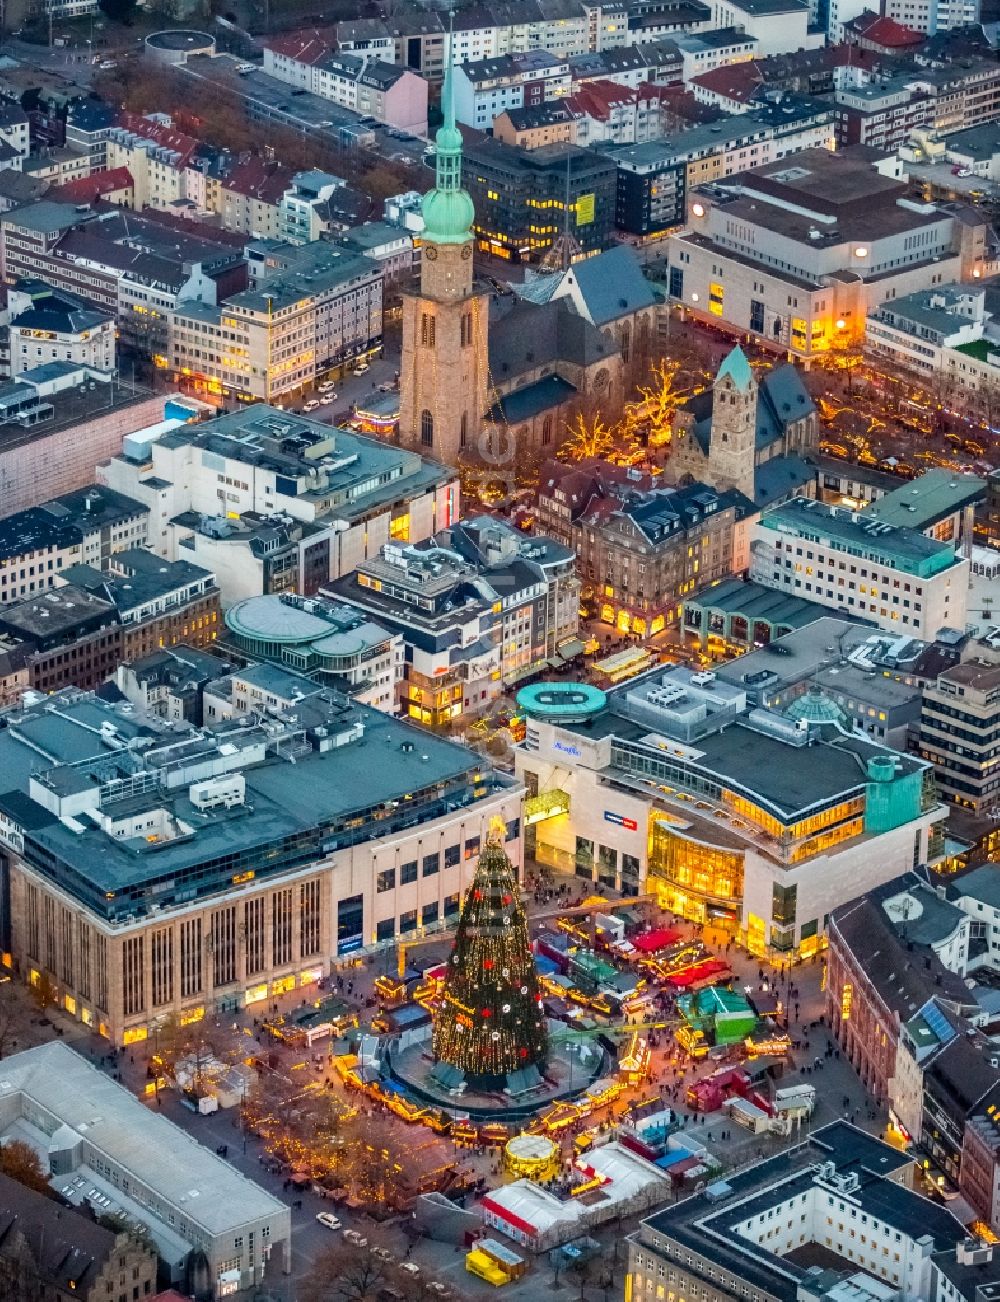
[756, 821]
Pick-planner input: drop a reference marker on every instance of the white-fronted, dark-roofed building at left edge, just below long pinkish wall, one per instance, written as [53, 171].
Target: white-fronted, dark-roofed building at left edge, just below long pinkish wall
[88, 527]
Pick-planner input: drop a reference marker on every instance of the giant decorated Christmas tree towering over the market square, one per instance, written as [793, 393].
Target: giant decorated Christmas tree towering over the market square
[490, 1021]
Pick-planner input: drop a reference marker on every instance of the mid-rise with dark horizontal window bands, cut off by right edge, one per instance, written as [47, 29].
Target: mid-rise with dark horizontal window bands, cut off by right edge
[960, 732]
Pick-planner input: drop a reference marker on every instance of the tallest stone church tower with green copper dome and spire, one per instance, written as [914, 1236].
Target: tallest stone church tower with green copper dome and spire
[445, 372]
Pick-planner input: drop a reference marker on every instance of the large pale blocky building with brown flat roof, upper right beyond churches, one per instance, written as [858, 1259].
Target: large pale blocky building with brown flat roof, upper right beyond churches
[800, 252]
